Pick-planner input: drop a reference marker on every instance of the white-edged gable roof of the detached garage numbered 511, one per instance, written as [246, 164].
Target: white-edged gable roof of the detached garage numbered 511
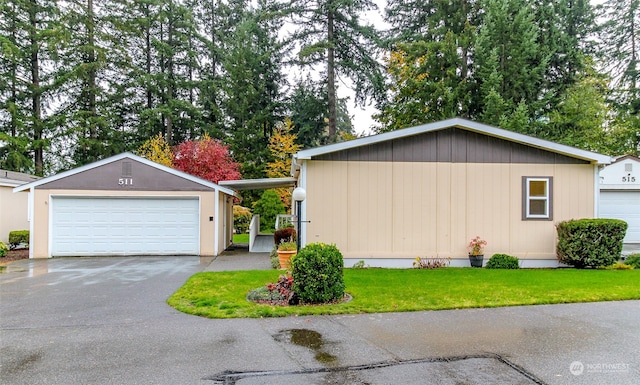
[116, 158]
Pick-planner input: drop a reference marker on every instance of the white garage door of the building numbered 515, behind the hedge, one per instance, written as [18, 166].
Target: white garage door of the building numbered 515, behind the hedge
[623, 205]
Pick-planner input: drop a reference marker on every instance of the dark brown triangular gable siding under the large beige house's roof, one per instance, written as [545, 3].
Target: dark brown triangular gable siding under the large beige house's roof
[452, 144]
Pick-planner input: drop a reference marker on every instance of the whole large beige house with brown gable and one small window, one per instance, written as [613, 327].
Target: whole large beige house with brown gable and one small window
[426, 191]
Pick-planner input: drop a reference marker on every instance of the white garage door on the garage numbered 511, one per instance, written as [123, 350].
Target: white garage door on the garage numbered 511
[125, 226]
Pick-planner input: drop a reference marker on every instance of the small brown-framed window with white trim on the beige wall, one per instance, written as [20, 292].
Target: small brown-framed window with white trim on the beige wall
[537, 198]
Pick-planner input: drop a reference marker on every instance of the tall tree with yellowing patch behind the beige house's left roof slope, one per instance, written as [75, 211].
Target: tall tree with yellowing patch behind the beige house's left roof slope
[430, 62]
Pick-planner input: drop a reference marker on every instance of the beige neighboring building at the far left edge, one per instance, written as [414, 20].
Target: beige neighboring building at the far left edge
[13, 207]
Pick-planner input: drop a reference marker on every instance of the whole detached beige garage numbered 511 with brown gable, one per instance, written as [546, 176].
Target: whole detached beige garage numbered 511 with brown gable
[126, 205]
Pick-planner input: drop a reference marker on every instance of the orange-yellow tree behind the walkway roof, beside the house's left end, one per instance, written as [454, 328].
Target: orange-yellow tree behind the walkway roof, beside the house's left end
[282, 146]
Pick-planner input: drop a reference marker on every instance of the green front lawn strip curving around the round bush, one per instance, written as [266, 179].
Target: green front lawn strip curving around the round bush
[223, 294]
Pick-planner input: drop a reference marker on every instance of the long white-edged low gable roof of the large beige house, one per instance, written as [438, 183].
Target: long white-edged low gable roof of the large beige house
[463, 124]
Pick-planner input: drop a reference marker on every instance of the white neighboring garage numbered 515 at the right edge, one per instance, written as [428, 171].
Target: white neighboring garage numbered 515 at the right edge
[620, 197]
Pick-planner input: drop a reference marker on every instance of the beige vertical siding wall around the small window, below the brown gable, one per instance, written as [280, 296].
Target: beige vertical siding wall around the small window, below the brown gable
[381, 209]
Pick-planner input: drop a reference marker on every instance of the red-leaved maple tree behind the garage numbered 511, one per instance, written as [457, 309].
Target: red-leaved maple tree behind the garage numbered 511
[207, 159]
